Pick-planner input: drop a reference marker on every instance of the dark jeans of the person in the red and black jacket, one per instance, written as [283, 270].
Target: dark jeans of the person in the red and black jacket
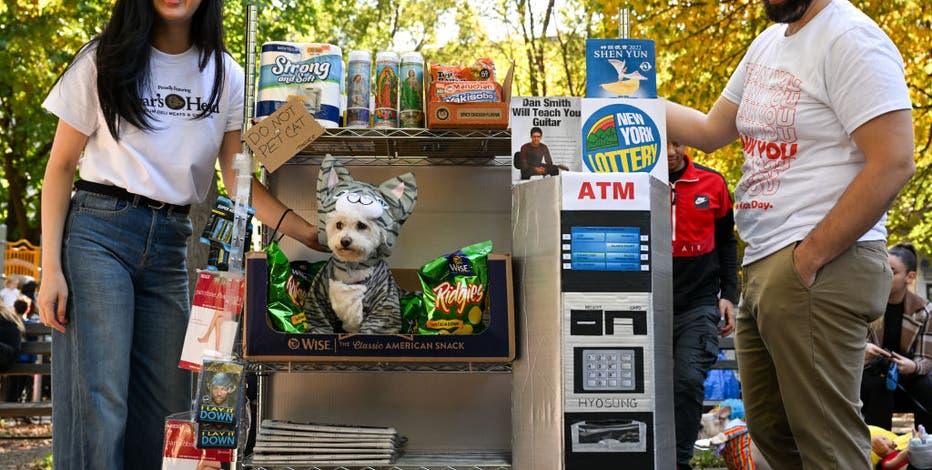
[695, 349]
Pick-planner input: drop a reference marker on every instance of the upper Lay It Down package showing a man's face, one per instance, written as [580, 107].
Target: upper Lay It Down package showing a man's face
[219, 393]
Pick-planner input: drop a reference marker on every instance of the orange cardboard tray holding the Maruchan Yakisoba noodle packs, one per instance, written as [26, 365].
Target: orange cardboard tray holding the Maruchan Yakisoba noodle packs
[472, 115]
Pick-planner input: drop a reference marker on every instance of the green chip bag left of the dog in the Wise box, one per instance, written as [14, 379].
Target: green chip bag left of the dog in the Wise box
[288, 286]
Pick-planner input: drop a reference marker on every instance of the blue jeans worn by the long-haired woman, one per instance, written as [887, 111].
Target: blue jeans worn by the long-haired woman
[115, 374]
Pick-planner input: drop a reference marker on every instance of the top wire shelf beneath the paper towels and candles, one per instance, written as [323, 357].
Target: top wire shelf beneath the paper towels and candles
[410, 147]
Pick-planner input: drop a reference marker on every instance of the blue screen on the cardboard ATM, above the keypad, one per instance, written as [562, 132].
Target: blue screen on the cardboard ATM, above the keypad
[605, 248]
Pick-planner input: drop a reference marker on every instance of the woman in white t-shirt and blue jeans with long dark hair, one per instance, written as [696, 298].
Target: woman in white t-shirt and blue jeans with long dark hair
[151, 103]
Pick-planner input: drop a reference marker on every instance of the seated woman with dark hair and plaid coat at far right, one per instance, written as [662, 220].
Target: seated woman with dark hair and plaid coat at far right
[903, 336]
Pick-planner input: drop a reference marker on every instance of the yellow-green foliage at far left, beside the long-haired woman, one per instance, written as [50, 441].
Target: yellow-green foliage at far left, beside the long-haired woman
[37, 40]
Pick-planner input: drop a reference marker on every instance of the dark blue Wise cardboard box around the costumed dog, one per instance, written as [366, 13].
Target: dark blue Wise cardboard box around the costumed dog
[495, 344]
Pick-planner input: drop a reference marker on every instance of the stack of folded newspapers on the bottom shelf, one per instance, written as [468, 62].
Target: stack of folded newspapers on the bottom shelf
[290, 443]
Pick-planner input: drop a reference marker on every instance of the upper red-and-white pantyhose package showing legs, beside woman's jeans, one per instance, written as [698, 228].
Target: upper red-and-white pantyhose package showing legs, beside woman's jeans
[215, 313]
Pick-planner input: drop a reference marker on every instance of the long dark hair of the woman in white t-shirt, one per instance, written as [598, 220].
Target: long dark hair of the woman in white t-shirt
[122, 56]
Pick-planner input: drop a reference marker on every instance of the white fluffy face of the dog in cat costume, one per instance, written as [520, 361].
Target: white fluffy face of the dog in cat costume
[352, 238]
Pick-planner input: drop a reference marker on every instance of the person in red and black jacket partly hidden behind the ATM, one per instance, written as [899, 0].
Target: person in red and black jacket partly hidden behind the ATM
[705, 285]
